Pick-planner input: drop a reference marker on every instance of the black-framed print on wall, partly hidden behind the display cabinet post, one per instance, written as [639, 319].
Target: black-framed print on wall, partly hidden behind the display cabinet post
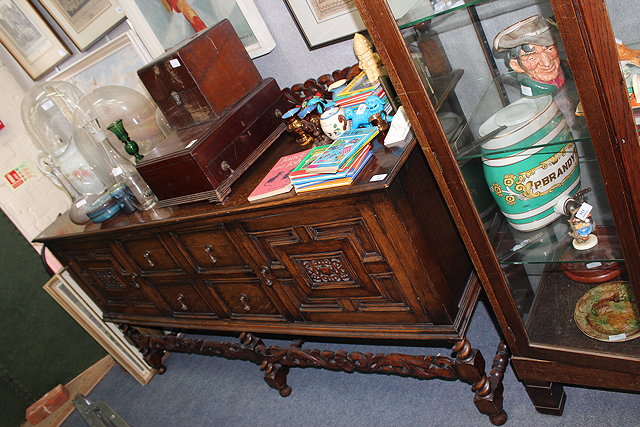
[323, 22]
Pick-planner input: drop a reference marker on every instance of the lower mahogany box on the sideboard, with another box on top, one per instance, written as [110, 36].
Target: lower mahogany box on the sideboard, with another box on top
[202, 161]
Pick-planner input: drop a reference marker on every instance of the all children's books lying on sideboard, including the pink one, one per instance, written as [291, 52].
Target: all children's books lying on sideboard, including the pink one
[328, 166]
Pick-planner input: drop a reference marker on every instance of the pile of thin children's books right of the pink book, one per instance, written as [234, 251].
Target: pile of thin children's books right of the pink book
[336, 164]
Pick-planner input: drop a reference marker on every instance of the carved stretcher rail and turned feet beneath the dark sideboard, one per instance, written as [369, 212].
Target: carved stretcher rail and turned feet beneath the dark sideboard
[275, 361]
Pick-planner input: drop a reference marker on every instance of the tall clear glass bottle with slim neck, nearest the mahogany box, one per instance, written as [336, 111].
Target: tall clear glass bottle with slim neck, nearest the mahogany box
[122, 170]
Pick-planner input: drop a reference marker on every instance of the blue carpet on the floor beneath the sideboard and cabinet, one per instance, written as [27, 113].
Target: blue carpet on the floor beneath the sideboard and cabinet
[210, 391]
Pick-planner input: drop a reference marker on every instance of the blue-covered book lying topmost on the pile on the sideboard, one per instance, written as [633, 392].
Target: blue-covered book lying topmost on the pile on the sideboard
[342, 150]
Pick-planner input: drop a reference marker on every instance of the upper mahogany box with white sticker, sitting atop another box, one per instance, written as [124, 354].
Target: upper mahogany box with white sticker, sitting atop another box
[198, 80]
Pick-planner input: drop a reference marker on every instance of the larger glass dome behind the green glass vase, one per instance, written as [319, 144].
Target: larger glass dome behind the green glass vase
[138, 114]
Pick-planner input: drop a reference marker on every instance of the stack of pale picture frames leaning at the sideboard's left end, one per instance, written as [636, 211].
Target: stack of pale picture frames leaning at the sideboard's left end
[75, 301]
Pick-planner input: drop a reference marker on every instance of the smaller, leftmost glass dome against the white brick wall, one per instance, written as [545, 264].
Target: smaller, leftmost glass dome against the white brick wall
[47, 112]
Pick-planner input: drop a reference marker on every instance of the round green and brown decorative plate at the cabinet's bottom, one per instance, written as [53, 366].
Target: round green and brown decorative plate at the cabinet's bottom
[607, 313]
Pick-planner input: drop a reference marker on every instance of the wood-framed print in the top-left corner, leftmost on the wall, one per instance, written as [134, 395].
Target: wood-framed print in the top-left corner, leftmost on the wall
[28, 38]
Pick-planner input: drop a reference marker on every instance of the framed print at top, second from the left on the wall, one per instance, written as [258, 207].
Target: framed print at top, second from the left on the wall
[84, 21]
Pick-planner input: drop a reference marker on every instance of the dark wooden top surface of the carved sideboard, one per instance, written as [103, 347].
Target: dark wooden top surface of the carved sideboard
[378, 173]
